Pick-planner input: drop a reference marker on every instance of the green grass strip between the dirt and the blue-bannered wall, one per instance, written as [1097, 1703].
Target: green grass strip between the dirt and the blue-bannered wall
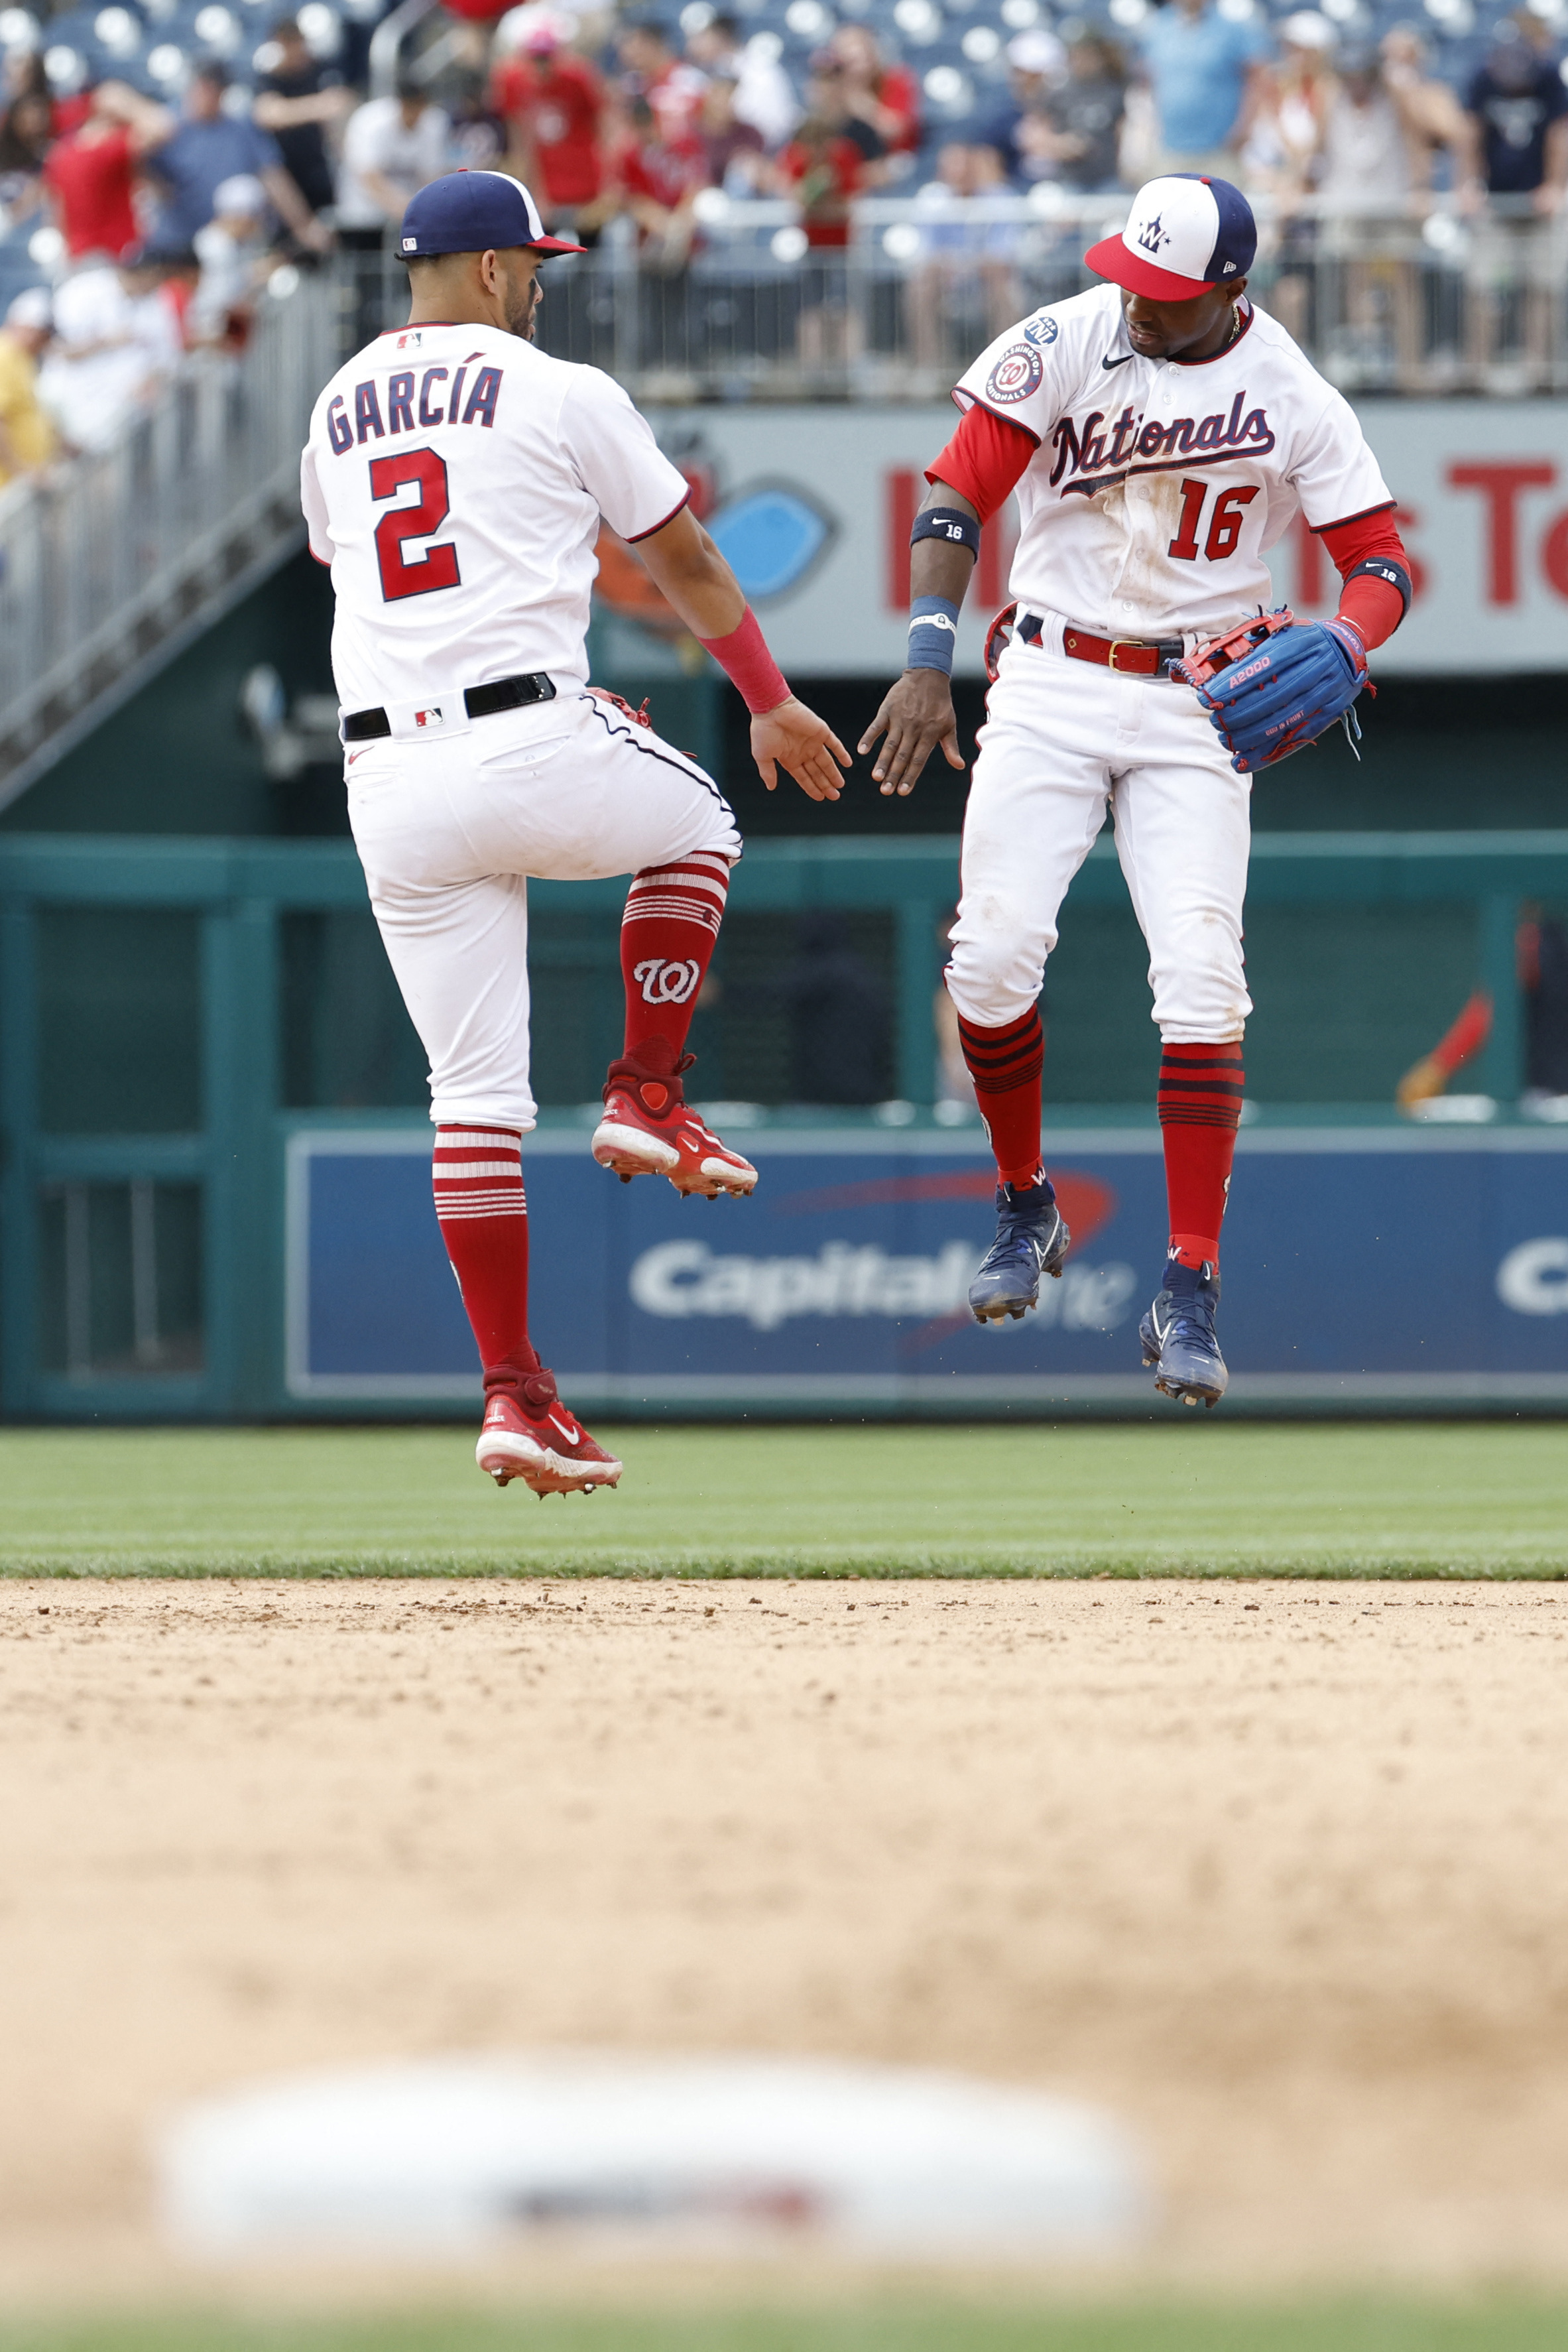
[1195, 1497]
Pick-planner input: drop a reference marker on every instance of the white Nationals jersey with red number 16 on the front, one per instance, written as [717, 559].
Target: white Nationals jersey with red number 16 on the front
[1160, 488]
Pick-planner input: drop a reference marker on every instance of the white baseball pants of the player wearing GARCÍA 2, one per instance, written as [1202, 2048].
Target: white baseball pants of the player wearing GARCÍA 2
[450, 829]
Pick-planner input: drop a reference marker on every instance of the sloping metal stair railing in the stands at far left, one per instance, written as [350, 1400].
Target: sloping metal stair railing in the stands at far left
[119, 556]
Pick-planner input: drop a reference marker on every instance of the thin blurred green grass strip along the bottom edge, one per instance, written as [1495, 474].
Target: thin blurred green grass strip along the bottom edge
[1329, 2327]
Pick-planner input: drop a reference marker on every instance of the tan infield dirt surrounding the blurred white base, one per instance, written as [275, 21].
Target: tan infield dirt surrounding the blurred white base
[1275, 1871]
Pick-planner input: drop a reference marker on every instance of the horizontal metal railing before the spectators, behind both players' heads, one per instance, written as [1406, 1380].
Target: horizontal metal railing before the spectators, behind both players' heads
[1386, 300]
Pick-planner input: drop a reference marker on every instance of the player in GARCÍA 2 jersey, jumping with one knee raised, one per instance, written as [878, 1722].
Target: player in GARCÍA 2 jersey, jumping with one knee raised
[455, 481]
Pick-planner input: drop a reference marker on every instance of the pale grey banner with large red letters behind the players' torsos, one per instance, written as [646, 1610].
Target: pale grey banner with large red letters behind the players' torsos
[815, 505]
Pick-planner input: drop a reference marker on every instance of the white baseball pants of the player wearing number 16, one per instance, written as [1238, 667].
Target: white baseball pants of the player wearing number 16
[1061, 742]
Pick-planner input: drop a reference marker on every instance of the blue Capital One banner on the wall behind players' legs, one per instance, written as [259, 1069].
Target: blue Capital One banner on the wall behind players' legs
[1360, 1267]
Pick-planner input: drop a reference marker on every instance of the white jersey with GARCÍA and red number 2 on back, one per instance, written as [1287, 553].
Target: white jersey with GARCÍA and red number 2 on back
[455, 481]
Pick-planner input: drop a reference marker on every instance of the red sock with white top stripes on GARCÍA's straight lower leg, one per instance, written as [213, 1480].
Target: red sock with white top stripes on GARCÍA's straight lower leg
[485, 1224]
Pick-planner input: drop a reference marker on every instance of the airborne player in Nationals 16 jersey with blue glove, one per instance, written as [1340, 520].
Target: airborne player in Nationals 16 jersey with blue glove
[1160, 434]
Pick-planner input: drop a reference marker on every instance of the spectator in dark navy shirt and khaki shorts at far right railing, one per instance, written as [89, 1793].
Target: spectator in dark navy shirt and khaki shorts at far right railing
[1517, 175]
